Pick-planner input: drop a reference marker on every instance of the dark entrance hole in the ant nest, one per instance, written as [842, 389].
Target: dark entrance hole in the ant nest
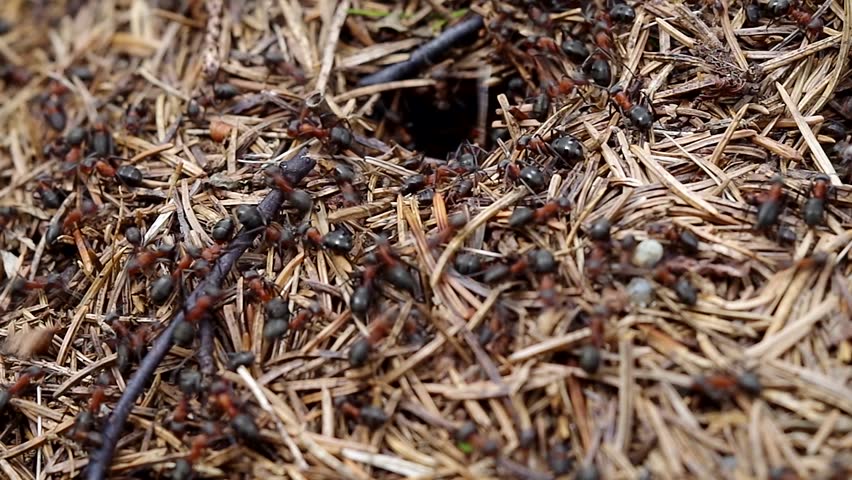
[437, 121]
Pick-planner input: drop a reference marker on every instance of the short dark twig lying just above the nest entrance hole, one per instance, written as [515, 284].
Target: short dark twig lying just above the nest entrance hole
[426, 54]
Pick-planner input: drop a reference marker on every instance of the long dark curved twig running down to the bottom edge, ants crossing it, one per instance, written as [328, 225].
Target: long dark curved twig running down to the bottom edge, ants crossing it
[294, 171]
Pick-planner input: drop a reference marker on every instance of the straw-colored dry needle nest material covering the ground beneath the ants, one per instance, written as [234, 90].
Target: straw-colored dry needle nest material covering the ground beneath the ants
[732, 110]
